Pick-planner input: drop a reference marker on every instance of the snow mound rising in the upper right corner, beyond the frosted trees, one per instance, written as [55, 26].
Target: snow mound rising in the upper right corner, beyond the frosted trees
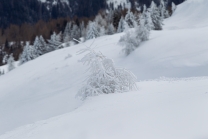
[190, 14]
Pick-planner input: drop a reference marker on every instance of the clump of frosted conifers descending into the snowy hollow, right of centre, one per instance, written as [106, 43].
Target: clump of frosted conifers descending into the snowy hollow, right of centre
[150, 19]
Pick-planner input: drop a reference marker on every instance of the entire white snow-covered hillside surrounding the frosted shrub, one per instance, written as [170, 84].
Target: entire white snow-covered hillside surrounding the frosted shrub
[37, 99]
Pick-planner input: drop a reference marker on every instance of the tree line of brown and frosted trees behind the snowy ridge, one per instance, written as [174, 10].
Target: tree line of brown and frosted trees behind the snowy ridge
[43, 37]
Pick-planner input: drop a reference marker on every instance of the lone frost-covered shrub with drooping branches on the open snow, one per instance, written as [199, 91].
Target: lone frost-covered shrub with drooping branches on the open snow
[104, 77]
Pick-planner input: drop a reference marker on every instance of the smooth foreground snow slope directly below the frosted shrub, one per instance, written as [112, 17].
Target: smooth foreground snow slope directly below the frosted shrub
[168, 109]
